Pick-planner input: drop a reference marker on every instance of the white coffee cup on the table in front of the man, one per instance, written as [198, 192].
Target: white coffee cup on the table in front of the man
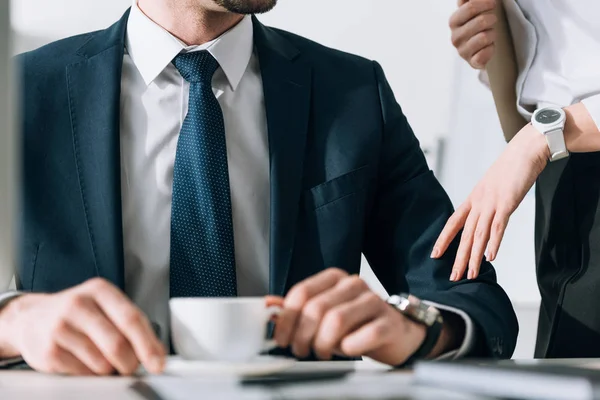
[220, 329]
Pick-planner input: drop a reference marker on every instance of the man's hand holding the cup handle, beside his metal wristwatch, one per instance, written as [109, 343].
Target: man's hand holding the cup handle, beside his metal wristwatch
[335, 313]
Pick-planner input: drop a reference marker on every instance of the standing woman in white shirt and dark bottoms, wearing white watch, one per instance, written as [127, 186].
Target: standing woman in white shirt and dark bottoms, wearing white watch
[553, 48]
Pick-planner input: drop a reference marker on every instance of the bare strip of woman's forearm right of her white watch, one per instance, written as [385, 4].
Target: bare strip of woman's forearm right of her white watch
[581, 132]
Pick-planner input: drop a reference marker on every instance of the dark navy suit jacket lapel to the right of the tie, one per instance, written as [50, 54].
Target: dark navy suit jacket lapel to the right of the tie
[287, 88]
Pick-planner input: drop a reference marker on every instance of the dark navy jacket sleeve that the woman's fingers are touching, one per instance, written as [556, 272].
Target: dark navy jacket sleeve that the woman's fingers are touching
[408, 213]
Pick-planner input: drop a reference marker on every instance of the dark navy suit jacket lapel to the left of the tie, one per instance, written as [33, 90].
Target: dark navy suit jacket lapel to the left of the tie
[94, 86]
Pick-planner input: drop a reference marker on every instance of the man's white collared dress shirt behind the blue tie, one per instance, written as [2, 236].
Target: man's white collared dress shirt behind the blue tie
[154, 103]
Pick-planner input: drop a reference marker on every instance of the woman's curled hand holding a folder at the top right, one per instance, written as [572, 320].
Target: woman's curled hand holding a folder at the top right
[473, 32]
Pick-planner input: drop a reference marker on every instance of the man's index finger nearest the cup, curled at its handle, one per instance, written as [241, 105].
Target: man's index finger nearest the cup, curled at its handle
[298, 296]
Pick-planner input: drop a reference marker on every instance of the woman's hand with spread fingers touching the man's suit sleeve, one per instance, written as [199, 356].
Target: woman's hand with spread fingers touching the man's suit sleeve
[485, 214]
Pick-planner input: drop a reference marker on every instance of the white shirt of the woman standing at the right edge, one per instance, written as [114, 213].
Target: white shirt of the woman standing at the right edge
[557, 46]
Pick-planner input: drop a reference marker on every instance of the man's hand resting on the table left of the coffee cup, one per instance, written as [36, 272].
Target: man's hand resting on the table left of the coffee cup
[91, 329]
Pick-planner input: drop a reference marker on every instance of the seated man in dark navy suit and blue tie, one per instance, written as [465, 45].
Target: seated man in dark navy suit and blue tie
[188, 150]
